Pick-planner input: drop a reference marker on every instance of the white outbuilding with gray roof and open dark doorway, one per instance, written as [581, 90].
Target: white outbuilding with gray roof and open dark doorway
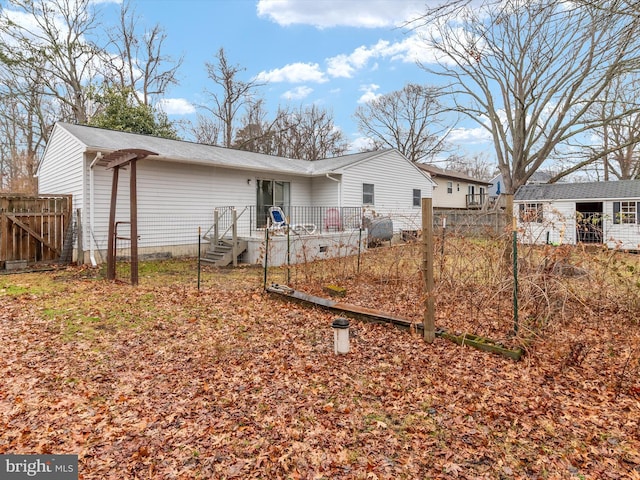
[594, 212]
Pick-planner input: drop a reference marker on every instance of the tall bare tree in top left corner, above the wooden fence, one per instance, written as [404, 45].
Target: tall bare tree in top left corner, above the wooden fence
[54, 45]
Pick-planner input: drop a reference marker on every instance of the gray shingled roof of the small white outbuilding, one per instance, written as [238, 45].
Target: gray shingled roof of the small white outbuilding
[580, 191]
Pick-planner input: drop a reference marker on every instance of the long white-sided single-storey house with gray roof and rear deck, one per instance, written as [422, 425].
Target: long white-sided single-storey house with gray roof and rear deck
[183, 188]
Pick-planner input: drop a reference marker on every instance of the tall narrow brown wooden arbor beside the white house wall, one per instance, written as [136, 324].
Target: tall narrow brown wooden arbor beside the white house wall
[116, 160]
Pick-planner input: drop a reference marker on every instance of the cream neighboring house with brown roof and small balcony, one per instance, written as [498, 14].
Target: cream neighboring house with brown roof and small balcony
[454, 190]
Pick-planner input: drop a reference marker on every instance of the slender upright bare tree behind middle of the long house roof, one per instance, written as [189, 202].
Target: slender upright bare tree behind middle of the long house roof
[233, 94]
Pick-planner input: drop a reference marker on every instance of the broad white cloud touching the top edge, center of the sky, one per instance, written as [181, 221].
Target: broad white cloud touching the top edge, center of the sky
[334, 13]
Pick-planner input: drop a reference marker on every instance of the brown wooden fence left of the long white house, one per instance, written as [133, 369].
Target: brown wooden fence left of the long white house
[34, 228]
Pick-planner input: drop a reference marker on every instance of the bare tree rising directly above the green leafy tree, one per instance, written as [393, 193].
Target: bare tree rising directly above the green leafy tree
[140, 64]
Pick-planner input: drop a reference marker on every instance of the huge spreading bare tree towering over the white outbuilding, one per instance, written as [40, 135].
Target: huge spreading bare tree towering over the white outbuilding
[528, 72]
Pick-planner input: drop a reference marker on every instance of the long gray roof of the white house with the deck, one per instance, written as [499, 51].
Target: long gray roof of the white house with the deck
[103, 140]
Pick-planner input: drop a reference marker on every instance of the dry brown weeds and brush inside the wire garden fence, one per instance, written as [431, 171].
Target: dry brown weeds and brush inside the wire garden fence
[561, 289]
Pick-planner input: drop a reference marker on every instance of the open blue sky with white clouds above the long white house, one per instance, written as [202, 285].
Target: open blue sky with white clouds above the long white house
[333, 53]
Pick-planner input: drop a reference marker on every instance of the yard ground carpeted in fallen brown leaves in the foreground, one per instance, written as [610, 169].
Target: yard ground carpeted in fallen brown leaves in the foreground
[163, 381]
